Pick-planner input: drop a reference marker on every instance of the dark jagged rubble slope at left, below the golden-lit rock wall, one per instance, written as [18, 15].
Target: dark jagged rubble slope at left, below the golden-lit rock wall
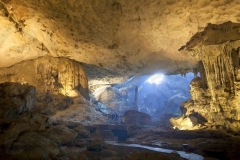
[37, 127]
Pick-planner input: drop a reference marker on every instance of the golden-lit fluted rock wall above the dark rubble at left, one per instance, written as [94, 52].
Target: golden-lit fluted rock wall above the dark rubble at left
[49, 74]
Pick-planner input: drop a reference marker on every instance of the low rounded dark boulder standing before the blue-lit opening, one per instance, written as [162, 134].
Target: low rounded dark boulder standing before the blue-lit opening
[132, 116]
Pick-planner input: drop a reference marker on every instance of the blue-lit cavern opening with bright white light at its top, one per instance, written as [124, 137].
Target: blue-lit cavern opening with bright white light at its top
[157, 95]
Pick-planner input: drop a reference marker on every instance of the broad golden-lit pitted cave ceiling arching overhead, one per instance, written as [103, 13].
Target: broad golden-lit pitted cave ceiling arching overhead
[127, 37]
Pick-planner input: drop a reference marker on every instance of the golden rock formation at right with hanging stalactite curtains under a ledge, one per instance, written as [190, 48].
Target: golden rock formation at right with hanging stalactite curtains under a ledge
[215, 95]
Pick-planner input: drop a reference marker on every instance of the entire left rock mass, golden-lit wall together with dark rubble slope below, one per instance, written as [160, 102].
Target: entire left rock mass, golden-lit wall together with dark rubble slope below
[44, 105]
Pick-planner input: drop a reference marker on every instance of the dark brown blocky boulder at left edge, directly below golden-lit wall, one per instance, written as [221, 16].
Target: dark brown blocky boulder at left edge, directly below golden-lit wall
[16, 99]
